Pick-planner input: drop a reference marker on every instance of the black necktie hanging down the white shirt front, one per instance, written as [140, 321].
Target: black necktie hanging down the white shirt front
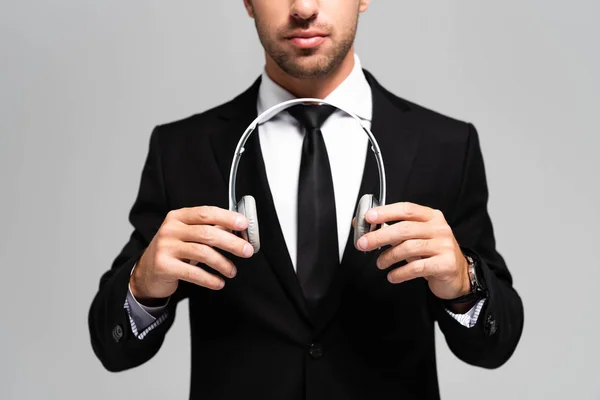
[318, 255]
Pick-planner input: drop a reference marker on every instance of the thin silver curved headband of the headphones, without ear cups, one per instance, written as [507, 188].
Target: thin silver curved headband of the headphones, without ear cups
[276, 109]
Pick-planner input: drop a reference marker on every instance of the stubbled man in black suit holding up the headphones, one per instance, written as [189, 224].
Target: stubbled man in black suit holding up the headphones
[311, 314]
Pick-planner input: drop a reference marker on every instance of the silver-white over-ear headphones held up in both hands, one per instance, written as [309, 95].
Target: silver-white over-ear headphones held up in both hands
[247, 205]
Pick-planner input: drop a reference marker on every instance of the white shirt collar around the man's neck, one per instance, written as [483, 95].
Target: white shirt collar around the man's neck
[353, 94]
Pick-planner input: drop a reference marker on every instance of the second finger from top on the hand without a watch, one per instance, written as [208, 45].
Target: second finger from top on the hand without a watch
[215, 237]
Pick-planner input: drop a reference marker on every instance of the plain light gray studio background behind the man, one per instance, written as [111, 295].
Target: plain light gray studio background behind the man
[82, 84]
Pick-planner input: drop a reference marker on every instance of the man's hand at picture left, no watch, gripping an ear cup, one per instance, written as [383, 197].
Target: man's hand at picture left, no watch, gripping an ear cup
[189, 234]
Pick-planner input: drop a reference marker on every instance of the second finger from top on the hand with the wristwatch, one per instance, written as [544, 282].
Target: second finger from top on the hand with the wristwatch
[395, 234]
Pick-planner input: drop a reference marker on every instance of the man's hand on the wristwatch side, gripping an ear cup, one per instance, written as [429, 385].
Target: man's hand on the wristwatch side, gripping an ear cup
[425, 240]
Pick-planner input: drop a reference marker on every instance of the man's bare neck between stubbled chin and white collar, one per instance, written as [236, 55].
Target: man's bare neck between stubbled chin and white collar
[318, 88]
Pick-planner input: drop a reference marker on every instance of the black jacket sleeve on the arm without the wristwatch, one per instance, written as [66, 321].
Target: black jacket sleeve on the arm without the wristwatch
[111, 335]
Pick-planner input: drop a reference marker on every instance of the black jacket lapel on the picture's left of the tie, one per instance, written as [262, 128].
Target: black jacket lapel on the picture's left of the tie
[252, 180]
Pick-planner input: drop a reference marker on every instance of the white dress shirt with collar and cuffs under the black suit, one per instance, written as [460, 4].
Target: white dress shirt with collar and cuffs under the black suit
[281, 139]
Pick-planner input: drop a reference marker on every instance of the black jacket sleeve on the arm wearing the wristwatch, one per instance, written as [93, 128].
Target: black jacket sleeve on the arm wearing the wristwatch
[493, 339]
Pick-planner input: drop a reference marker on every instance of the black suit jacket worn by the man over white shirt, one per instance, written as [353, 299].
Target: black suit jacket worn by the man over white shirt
[371, 339]
